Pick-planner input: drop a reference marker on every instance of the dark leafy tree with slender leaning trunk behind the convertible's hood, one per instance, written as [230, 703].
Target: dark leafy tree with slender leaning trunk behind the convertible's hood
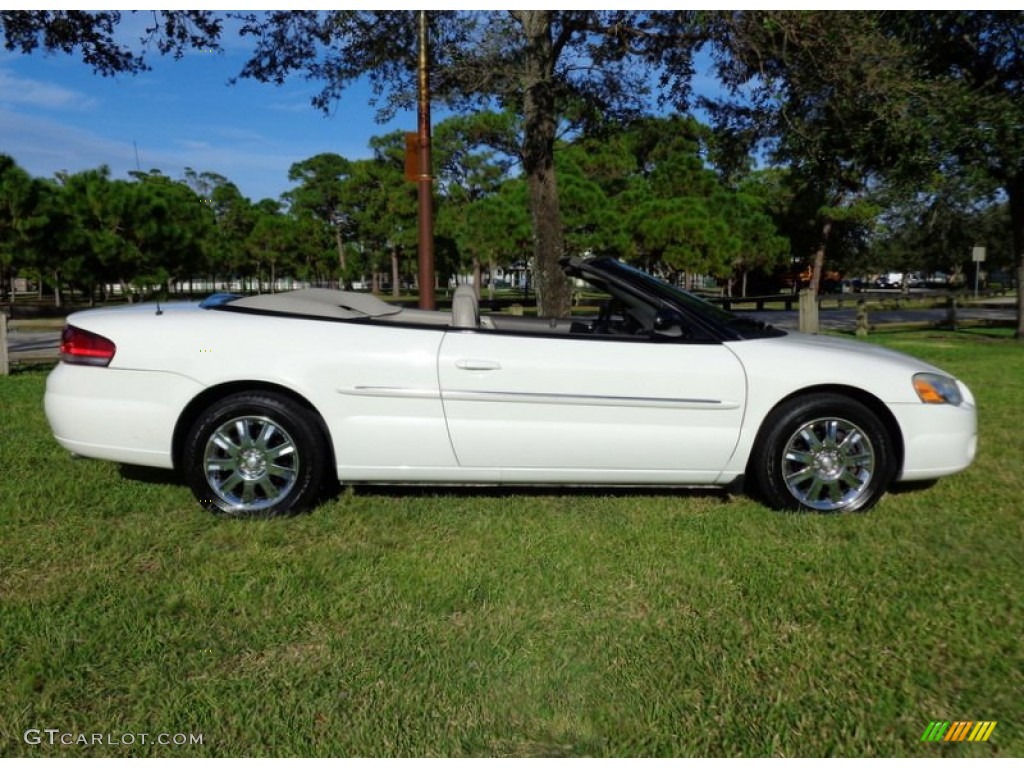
[832, 97]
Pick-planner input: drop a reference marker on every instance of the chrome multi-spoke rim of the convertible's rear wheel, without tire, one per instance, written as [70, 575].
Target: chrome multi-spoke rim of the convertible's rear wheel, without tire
[251, 462]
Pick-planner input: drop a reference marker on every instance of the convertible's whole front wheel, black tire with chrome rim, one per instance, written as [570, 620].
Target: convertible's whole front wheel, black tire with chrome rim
[823, 454]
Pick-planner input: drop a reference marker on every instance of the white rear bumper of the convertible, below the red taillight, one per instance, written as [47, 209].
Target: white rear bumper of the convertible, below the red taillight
[117, 415]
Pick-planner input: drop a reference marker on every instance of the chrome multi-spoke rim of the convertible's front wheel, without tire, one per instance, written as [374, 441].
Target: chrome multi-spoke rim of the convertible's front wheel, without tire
[828, 464]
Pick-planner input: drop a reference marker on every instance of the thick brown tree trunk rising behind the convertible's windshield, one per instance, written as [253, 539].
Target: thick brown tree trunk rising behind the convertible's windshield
[553, 295]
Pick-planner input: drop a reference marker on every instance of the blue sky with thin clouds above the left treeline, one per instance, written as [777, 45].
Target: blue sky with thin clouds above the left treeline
[57, 115]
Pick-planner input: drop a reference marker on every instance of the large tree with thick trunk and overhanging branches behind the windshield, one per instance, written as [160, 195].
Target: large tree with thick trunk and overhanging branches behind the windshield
[551, 67]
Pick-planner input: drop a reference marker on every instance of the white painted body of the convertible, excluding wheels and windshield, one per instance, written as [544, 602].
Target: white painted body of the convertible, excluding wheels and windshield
[412, 397]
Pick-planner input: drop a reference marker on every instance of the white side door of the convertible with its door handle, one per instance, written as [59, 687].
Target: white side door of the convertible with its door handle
[549, 408]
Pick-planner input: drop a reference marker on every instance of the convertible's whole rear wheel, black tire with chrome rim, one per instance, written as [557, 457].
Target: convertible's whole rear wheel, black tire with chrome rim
[255, 455]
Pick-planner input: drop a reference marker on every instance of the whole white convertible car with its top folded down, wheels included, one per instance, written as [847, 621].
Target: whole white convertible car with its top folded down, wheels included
[261, 401]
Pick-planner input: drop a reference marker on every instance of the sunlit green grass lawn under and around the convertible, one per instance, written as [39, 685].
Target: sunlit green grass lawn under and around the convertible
[436, 623]
